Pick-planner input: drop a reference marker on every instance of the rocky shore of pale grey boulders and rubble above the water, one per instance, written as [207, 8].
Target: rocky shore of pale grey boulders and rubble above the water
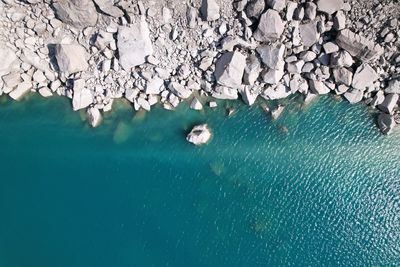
[168, 51]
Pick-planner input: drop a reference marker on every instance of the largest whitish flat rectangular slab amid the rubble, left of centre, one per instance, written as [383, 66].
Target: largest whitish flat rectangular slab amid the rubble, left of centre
[134, 44]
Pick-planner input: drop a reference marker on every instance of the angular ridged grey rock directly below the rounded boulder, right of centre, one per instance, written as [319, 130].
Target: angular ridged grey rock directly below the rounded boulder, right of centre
[272, 55]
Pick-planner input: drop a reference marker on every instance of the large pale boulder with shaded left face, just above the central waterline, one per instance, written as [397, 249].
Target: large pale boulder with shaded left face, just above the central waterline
[229, 69]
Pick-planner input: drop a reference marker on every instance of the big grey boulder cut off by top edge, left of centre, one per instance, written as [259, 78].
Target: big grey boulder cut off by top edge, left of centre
[78, 13]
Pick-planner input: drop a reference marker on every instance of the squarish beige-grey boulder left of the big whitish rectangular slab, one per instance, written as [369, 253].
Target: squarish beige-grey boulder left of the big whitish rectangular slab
[71, 58]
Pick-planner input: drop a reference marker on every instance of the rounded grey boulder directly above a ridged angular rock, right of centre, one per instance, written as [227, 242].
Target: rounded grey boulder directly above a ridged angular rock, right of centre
[270, 27]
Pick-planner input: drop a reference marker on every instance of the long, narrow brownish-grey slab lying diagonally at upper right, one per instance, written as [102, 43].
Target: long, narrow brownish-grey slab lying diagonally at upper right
[358, 46]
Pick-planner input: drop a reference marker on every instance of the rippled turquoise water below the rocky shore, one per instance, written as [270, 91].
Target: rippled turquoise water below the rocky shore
[318, 187]
